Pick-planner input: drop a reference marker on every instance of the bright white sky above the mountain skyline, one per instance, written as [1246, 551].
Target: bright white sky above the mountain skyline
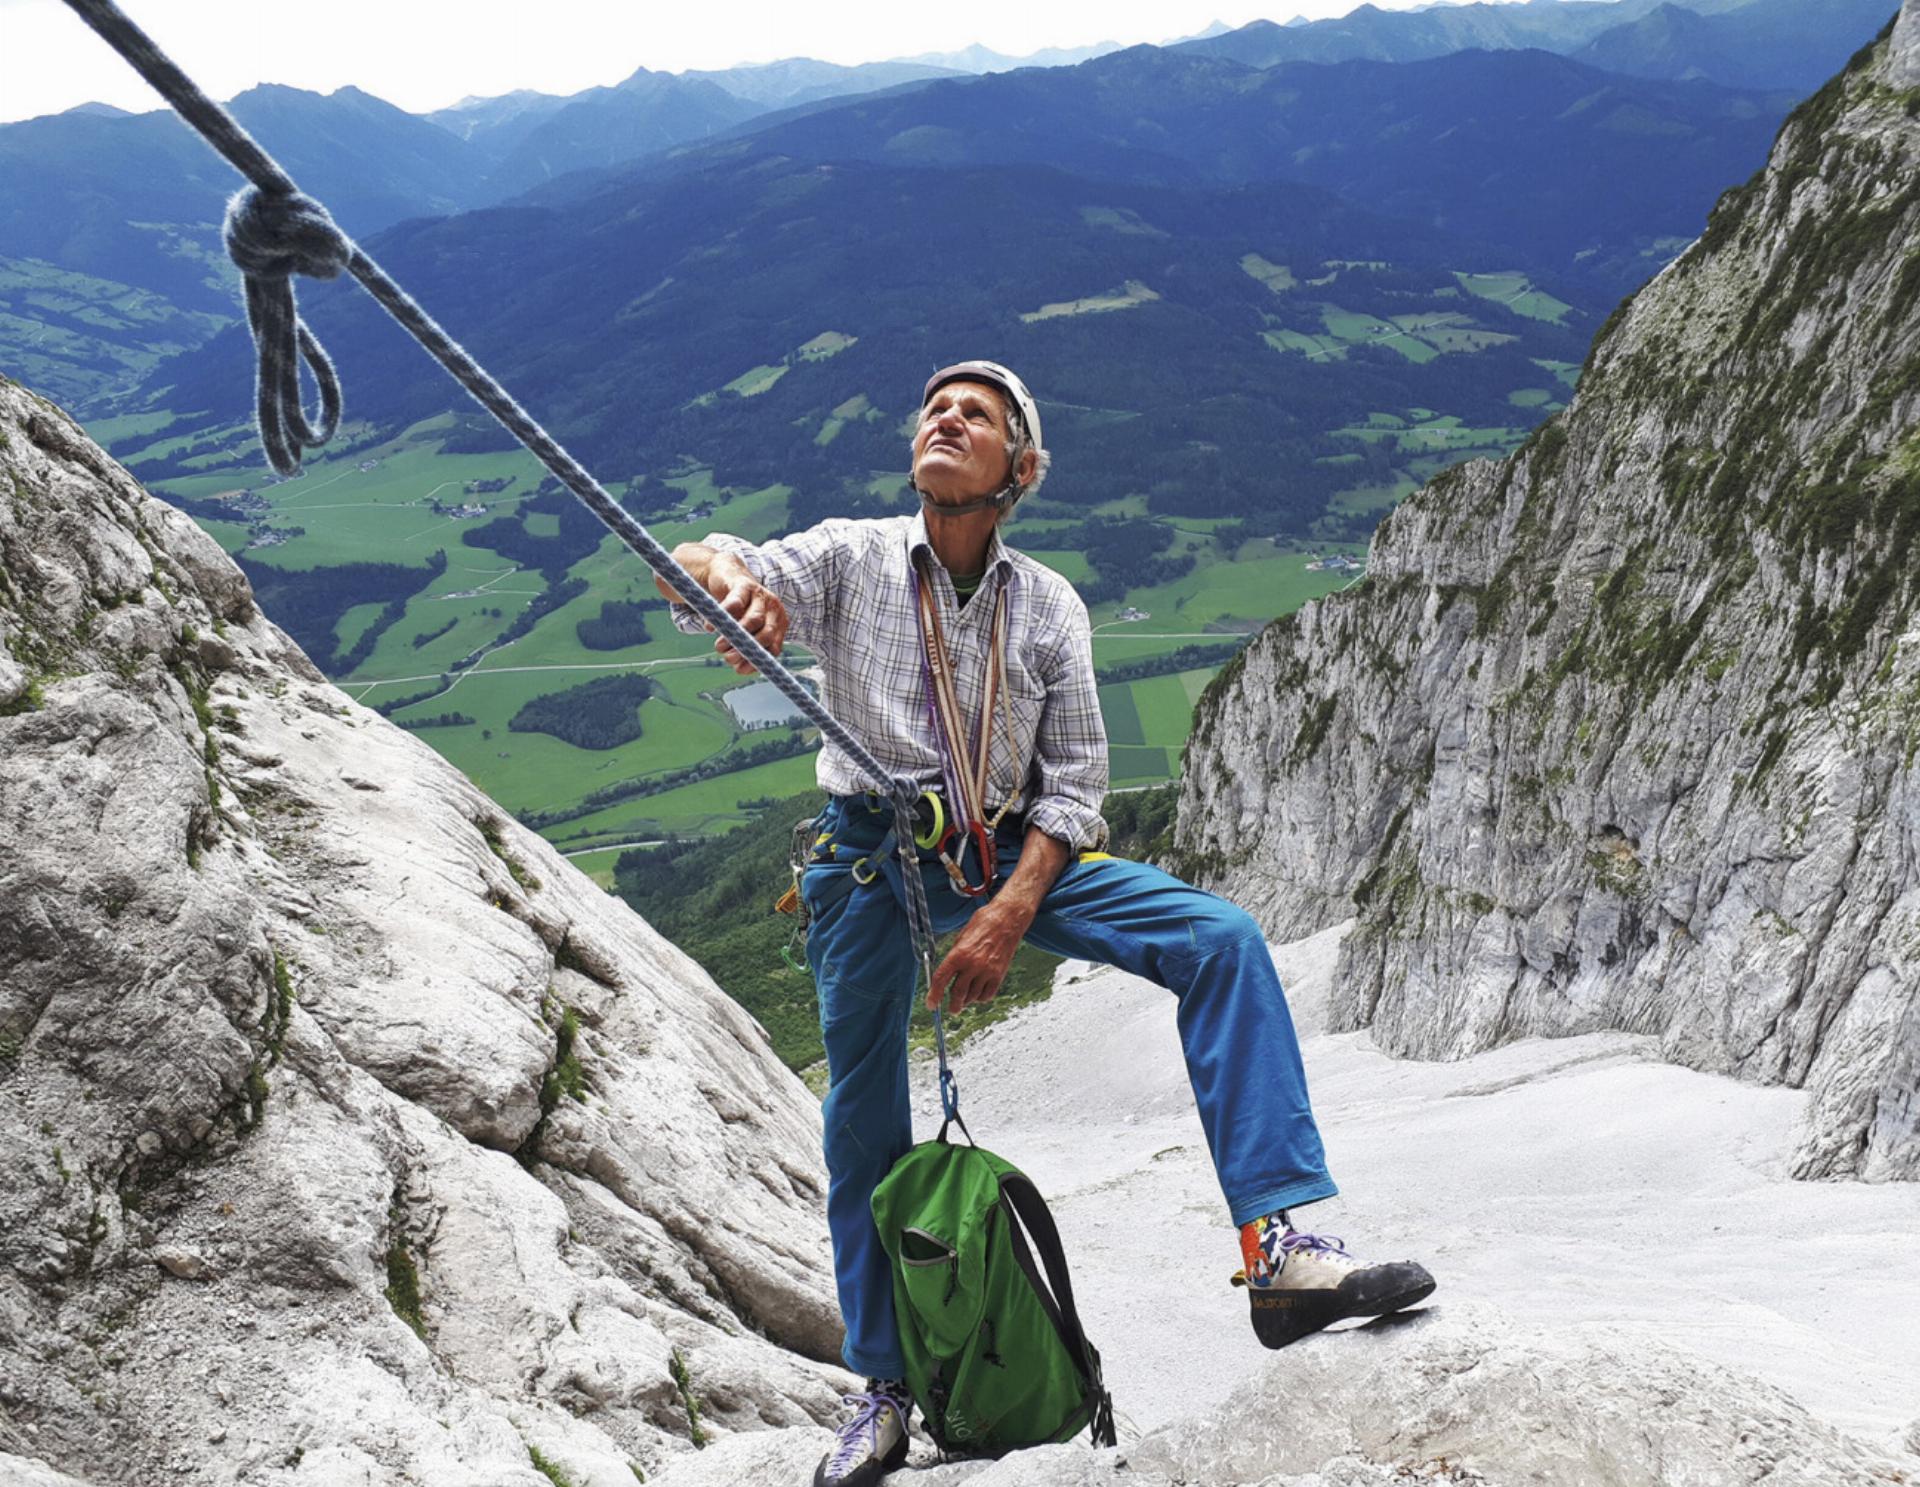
[425, 55]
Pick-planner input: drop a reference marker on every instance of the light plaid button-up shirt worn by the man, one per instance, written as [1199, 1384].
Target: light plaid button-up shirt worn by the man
[852, 602]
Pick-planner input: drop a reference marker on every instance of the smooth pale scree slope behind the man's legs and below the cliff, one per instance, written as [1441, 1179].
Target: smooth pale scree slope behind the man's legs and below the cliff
[1572, 1182]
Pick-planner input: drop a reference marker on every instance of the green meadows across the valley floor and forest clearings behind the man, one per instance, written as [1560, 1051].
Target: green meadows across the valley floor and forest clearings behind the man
[462, 662]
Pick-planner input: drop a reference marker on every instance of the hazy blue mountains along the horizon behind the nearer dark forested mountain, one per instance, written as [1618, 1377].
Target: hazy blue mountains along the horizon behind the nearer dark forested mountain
[1558, 166]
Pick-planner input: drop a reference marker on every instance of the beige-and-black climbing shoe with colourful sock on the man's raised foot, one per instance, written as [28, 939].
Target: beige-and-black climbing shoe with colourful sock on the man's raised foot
[1303, 1282]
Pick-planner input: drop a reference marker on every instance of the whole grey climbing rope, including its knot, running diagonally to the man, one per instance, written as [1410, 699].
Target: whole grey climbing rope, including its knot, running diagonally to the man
[276, 232]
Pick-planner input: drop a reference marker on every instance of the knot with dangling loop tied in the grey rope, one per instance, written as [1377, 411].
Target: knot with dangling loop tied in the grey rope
[272, 235]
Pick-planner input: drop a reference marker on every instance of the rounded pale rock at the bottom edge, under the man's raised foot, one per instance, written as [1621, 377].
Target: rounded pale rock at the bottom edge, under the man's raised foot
[1441, 1396]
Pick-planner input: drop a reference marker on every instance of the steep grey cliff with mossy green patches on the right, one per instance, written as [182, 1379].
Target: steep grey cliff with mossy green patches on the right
[1620, 733]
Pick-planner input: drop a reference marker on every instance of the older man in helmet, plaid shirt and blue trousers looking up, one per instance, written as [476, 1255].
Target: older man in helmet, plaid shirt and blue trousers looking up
[969, 666]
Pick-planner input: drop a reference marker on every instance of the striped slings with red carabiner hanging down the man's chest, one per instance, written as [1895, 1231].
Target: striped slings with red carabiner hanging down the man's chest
[967, 769]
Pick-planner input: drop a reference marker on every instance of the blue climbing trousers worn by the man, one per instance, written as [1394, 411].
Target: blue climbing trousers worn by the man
[1239, 1040]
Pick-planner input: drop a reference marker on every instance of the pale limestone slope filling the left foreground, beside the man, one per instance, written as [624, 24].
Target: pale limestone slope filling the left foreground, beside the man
[295, 1186]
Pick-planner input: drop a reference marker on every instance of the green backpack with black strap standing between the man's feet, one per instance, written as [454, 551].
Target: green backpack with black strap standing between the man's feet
[996, 1352]
